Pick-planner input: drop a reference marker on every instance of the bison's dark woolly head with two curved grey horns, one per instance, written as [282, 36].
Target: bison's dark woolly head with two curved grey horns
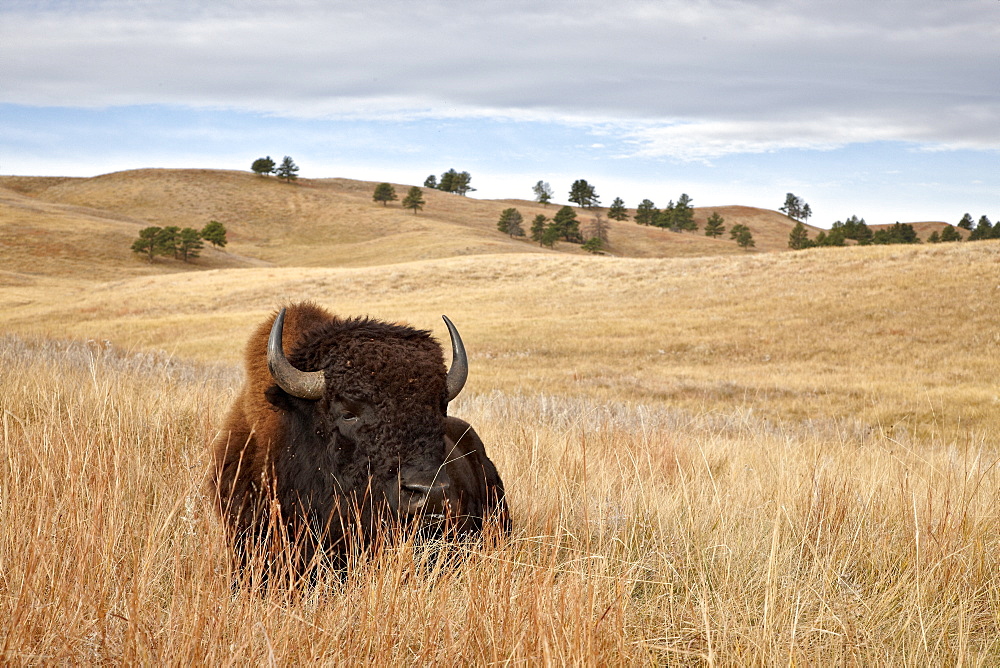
[371, 414]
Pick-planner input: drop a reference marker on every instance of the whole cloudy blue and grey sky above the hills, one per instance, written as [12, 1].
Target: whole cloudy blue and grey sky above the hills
[886, 110]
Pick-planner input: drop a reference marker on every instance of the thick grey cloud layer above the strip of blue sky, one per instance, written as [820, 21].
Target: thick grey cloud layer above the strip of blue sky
[685, 79]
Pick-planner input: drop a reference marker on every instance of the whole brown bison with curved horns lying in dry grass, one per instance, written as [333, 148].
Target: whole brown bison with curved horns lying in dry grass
[345, 438]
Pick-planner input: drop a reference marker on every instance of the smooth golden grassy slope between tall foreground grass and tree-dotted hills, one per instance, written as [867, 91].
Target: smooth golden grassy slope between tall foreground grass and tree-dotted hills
[887, 334]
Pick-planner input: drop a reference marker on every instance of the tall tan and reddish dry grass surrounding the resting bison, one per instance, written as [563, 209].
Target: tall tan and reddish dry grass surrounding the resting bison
[643, 535]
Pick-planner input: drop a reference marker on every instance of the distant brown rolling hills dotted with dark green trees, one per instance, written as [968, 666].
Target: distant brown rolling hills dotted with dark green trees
[85, 226]
